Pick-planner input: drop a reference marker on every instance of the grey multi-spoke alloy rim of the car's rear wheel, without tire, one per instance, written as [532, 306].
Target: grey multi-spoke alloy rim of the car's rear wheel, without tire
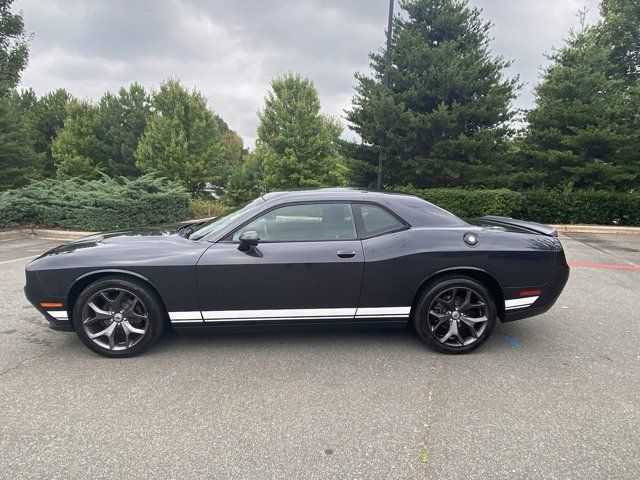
[458, 316]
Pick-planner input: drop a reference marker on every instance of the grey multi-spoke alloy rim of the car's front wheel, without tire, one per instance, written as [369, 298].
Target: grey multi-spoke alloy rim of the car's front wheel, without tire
[115, 319]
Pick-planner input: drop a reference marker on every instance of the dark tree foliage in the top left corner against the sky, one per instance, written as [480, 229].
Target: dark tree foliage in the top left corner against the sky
[14, 48]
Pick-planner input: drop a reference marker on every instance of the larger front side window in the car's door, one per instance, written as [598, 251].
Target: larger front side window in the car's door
[309, 222]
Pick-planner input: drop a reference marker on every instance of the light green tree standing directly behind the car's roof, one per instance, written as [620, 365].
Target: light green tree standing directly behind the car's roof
[297, 145]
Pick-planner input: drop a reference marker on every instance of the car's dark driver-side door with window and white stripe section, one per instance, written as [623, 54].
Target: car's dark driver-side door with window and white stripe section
[308, 267]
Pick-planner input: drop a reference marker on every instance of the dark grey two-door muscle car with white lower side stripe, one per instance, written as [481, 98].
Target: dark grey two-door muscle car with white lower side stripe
[308, 258]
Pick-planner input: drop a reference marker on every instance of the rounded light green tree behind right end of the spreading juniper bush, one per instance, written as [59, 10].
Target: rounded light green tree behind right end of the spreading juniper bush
[182, 140]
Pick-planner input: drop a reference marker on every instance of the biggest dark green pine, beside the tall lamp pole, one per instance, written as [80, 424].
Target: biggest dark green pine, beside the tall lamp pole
[447, 104]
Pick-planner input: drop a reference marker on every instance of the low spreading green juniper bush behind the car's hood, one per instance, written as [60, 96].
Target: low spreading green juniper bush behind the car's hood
[96, 204]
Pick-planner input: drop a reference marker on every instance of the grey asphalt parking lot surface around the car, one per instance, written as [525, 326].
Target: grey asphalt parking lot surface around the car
[556, 396]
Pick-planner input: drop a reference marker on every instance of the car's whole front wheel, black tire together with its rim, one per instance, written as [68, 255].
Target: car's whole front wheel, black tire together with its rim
[141, 303]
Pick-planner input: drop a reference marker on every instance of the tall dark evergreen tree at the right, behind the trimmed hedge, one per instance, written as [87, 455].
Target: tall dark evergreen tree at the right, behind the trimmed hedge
[583, 131]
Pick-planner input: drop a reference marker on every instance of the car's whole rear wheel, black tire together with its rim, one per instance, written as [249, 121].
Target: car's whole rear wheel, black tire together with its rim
[440, 301]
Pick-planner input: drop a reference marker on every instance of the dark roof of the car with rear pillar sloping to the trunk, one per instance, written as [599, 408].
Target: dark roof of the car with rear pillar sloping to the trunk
[415, 210]
